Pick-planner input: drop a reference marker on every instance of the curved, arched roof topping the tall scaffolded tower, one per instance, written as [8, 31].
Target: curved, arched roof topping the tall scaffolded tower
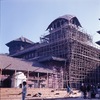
[66, 17]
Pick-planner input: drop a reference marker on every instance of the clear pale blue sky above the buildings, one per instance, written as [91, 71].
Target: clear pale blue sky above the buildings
[30, 18]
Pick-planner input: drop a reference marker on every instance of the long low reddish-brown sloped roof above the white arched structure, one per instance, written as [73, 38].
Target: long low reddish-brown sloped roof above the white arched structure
[20, 64]
